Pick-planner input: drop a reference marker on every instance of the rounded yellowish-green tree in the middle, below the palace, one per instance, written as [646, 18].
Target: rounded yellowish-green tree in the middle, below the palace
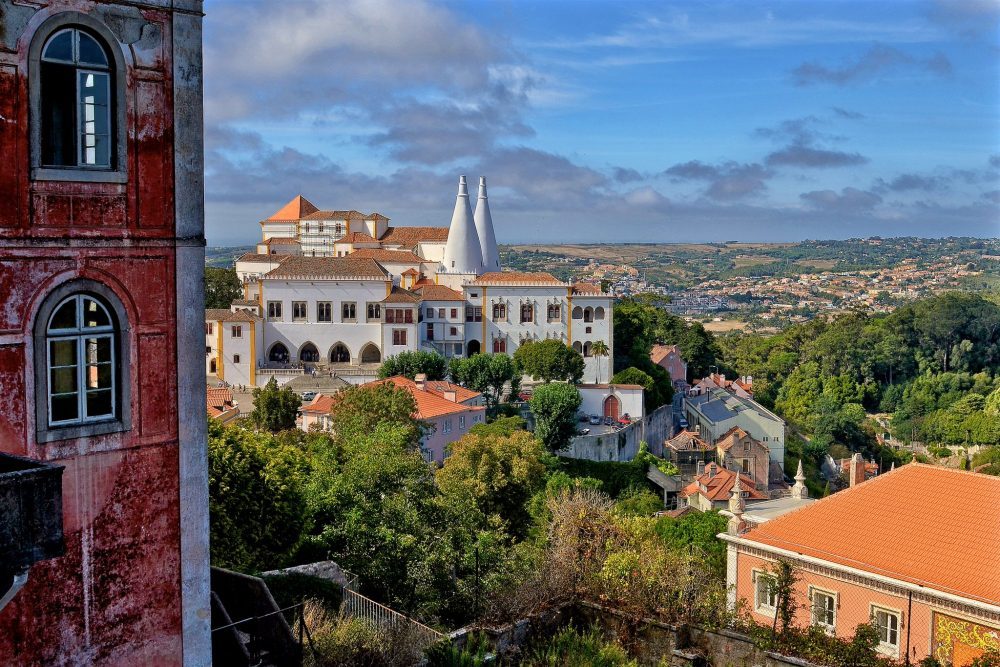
[497, 474]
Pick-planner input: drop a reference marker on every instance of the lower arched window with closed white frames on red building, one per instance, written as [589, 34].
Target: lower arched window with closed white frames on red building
[81, 340]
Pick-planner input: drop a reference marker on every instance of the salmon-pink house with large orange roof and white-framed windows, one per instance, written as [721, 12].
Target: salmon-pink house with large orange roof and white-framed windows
[913, 551]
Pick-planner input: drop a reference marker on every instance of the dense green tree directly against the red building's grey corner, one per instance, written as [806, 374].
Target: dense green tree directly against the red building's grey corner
[258, 509]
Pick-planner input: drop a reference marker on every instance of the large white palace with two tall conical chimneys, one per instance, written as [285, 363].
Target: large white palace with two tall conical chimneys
[336, 292]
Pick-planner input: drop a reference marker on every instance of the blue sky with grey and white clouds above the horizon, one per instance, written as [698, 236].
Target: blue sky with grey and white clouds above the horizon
[610, 121]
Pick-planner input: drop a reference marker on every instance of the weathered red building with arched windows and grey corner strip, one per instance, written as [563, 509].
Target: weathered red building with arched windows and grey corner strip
[101, 304]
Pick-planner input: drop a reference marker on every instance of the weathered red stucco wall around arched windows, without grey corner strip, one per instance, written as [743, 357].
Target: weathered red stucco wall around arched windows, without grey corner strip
[114, 597]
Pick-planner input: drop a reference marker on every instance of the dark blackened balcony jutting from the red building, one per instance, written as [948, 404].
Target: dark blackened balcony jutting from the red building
[30, 519]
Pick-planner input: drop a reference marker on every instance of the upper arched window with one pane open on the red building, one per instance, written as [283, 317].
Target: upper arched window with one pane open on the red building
[77, 101]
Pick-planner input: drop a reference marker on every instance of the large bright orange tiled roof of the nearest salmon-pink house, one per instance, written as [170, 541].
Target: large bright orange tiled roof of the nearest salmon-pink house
[922, 524]
